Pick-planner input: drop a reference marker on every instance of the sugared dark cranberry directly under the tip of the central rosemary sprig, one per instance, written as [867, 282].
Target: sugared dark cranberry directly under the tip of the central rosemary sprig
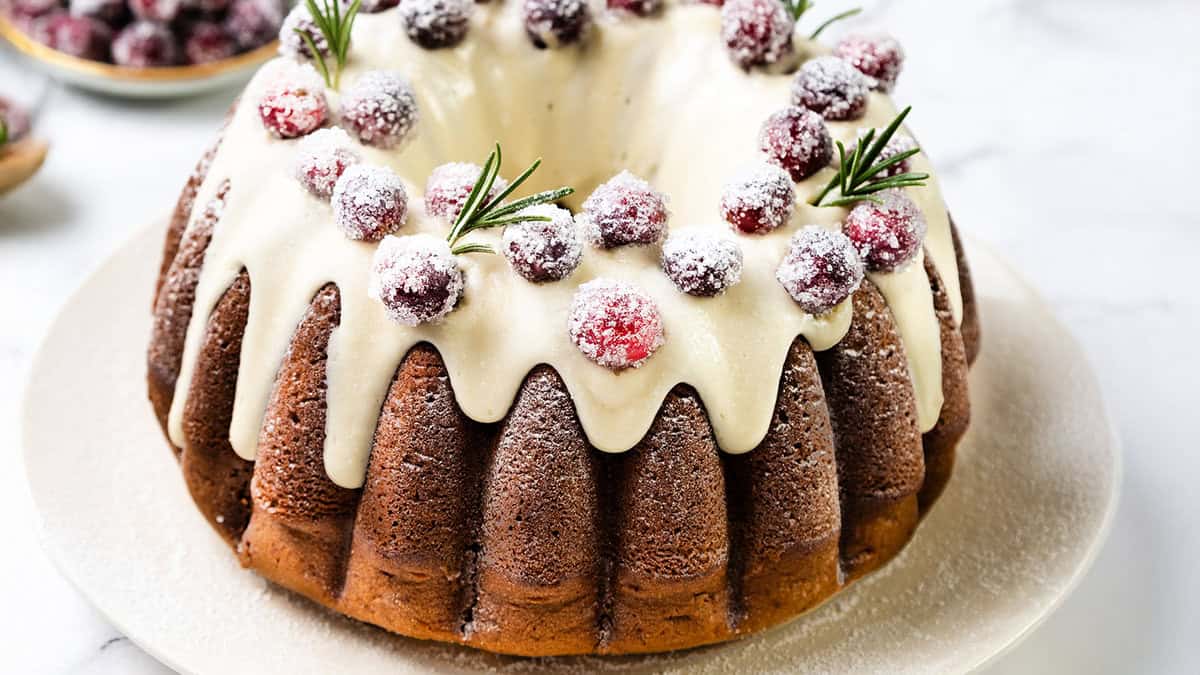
[543, 250]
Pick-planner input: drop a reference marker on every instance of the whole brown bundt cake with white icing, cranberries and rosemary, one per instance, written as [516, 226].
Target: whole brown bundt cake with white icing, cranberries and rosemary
[693, 399]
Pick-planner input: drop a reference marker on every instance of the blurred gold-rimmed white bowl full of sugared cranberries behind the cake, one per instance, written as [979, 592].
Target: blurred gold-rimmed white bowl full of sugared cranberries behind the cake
[146, 49]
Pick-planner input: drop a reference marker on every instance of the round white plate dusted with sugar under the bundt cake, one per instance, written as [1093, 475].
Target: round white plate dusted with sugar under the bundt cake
[1028, 509]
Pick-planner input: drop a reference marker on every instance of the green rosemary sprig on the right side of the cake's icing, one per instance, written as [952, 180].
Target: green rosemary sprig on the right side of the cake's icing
[859, 174]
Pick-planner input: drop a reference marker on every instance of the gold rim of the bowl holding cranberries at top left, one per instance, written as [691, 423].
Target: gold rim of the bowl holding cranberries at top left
[40, 52]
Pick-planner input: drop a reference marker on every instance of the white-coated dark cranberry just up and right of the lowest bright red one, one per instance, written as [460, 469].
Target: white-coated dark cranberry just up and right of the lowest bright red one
[701, 264]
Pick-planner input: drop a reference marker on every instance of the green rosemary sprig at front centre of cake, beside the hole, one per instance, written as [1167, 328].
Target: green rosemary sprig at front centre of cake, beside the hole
[481, 213]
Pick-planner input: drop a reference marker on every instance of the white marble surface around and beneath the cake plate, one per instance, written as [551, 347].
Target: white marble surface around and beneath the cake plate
[1066, 133]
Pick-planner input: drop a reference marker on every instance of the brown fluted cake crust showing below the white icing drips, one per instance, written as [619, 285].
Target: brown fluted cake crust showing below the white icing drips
[520, 537]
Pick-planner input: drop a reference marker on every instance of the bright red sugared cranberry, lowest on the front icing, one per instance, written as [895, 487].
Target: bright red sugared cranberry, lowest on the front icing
[615, 324]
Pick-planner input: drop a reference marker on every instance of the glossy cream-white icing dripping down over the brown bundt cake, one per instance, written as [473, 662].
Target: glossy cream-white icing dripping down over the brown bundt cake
[657, 97]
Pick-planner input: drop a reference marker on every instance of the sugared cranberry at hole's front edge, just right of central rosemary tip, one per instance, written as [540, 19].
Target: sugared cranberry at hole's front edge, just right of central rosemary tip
[625, 211]
